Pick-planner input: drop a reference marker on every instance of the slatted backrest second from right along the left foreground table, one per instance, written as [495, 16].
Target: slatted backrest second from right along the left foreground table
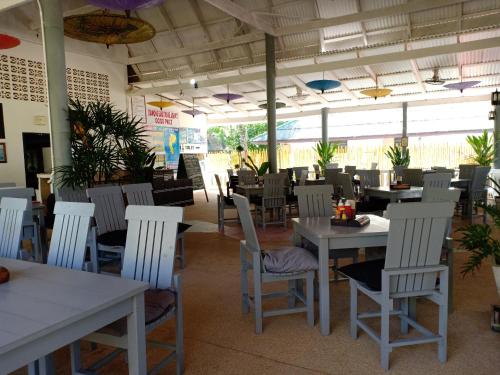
[69, 234]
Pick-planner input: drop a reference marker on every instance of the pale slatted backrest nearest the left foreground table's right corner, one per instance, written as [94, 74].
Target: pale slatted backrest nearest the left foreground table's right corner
[150, 248]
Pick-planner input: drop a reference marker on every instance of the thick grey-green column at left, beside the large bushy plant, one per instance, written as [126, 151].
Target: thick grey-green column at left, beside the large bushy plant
[51, 15]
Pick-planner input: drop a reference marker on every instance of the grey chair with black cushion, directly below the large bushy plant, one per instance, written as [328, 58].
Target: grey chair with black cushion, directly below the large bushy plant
[110, 220]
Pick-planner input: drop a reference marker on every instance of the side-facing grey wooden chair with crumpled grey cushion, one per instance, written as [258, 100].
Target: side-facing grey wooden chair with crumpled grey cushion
[271, 266]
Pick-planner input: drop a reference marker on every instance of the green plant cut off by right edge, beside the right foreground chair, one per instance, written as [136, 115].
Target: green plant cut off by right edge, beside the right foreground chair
[482, 244]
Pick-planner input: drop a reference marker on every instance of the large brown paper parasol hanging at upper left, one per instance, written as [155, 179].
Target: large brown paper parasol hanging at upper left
[108, 29]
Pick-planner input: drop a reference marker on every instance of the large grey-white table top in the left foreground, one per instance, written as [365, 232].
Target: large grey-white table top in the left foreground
[40, 299]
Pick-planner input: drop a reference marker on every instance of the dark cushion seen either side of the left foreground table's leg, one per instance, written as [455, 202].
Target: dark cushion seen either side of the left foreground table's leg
[157, 303]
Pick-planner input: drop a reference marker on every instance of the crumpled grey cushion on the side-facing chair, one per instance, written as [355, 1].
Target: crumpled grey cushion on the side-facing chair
[289, 259]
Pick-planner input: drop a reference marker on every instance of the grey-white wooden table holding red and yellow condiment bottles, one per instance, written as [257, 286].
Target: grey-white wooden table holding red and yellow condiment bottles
[329, 237]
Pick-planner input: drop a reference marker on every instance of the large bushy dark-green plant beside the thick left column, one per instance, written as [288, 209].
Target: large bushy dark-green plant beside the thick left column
[104, 141]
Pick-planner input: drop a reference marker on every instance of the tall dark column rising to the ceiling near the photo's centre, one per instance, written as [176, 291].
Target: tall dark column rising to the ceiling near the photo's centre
[271, 103]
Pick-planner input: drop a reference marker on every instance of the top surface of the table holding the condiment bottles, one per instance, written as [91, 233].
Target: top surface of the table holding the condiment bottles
[322, 228]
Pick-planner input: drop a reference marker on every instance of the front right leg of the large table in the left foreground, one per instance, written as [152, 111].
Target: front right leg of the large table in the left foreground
[136, 337]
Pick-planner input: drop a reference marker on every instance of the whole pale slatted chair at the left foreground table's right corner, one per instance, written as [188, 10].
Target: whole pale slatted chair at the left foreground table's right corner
[149, 257]
